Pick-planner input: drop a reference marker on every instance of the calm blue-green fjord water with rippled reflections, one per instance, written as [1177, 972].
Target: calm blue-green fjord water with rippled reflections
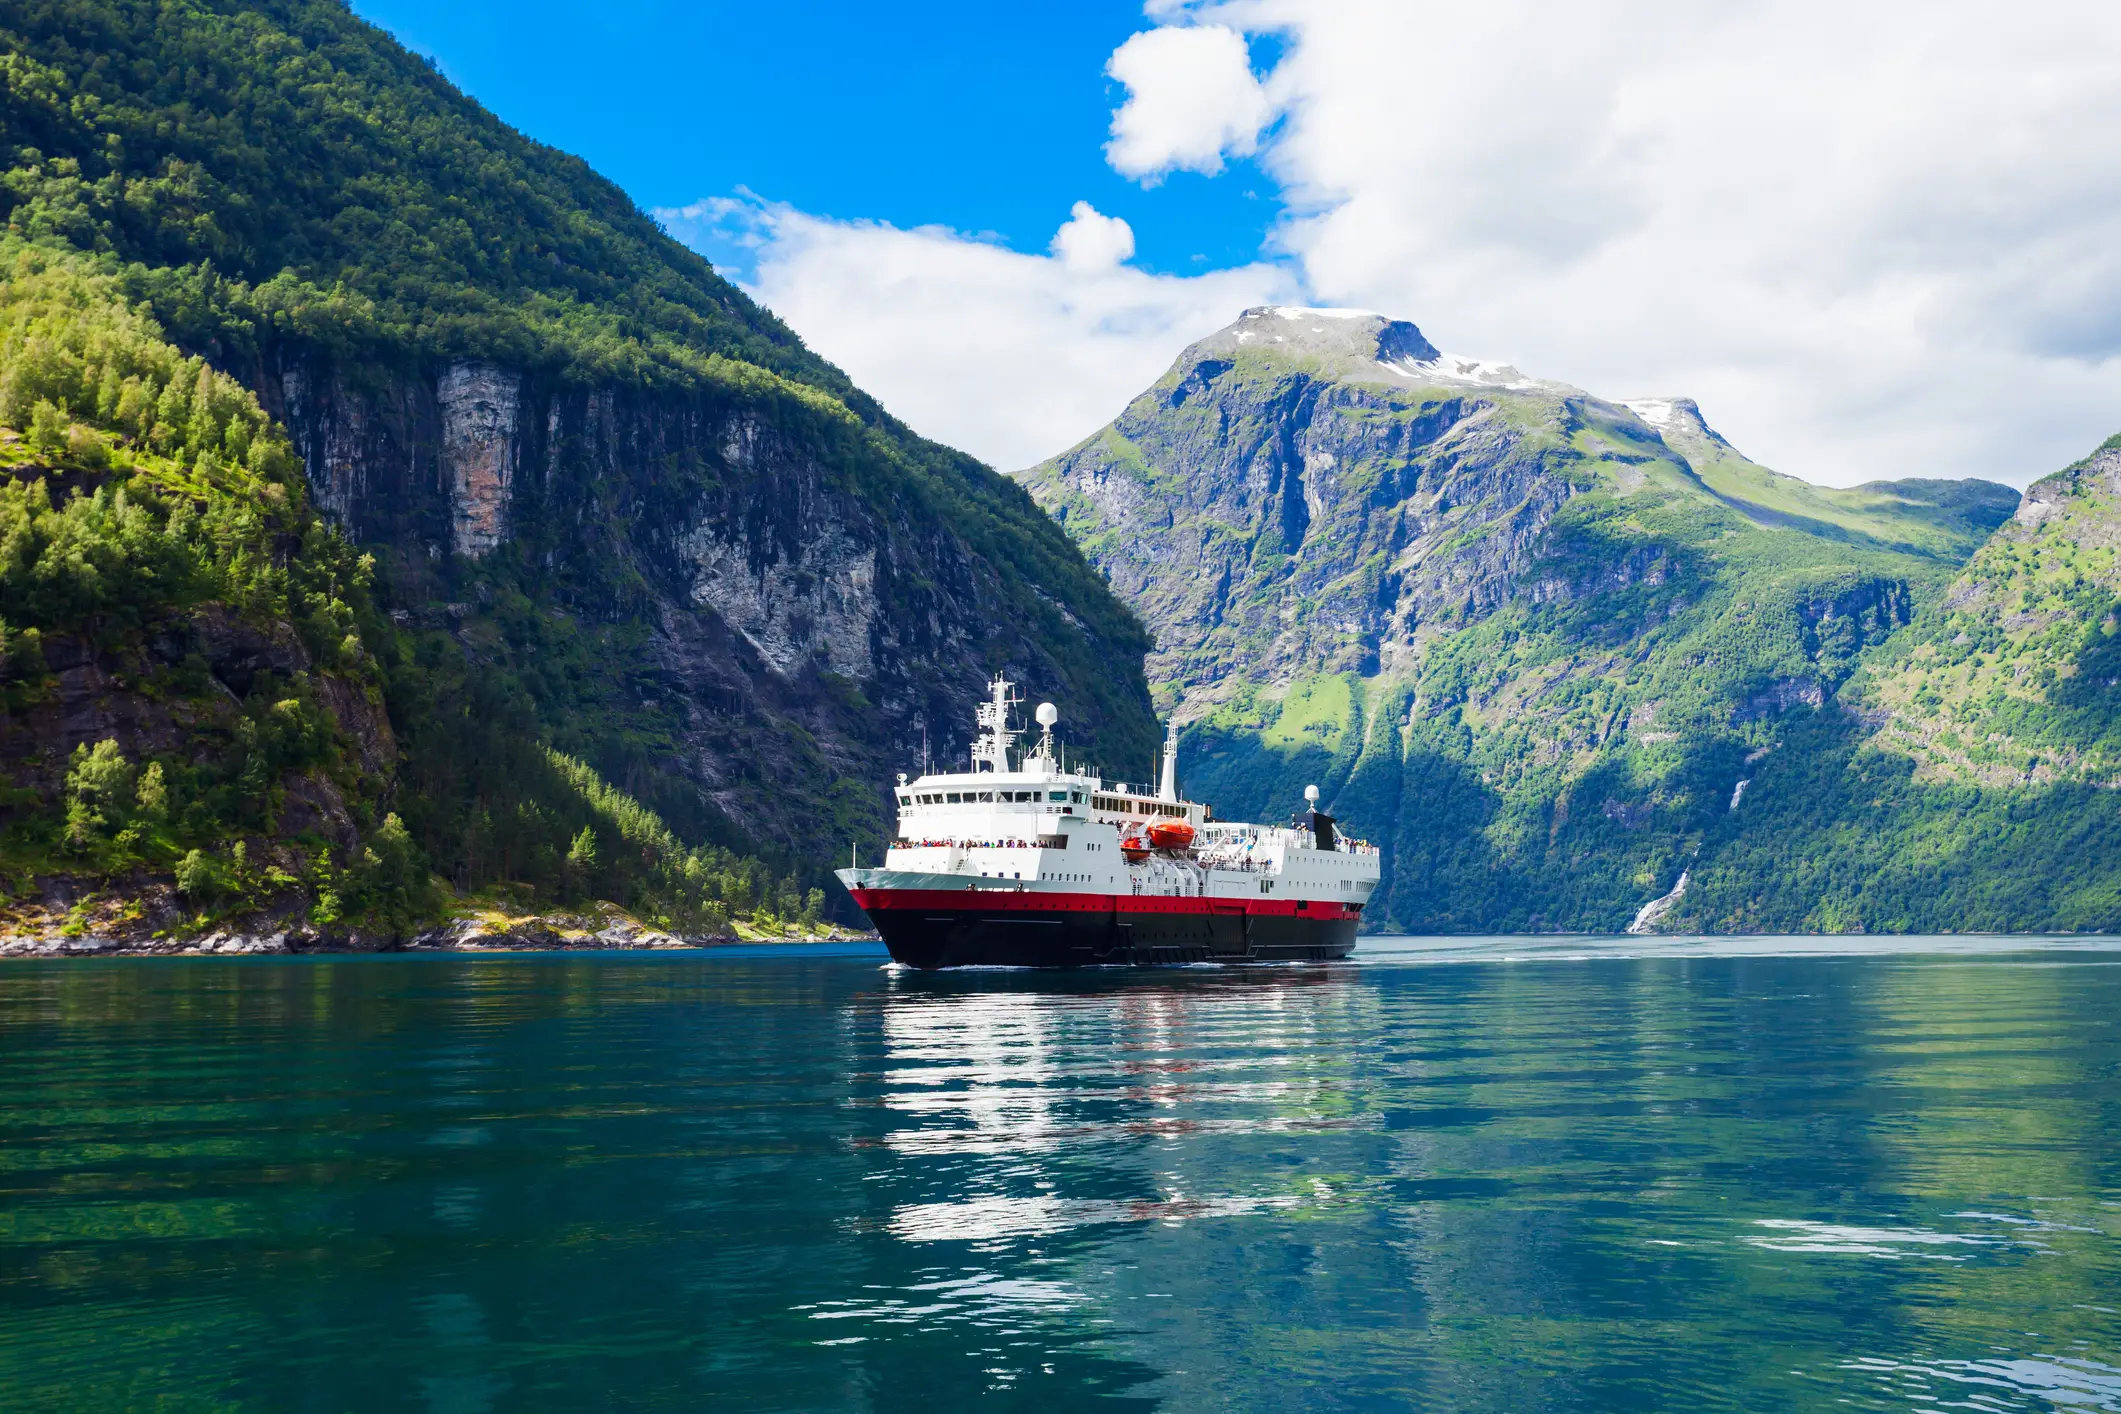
[1450, 1176]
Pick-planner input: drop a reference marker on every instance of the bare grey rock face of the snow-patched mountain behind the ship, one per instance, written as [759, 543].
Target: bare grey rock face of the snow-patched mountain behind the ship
[1301, 495]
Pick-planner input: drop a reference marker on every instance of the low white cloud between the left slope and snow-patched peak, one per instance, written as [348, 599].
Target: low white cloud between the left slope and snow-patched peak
[1011, 357]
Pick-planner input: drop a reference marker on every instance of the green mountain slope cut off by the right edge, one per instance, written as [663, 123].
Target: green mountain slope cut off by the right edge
[1969, 779]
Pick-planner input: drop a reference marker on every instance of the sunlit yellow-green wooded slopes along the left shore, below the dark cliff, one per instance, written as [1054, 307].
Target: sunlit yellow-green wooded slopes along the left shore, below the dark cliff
[169, 590]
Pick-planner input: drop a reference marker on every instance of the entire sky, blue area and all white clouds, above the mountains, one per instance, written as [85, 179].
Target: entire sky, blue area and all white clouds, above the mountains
[1872, 241]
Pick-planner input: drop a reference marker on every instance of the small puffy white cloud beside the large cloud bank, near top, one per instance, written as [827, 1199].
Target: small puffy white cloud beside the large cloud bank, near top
[1191, 101]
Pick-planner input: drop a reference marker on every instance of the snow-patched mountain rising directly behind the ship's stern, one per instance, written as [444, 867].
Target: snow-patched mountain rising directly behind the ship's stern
[1524, 637]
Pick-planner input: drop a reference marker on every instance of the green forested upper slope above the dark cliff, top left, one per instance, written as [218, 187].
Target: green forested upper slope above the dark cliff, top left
[287, 169]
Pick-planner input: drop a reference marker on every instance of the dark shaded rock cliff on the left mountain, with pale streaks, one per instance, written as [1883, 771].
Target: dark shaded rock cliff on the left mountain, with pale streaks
[811, 616]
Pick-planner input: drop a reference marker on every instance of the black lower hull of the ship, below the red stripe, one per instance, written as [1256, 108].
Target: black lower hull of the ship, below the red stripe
[1002, 936]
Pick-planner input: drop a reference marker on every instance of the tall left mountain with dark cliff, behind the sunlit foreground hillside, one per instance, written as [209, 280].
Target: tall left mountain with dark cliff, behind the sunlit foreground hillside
[616, 510]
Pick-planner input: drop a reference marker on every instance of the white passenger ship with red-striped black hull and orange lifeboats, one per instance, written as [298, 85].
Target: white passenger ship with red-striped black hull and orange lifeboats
[1021, 862]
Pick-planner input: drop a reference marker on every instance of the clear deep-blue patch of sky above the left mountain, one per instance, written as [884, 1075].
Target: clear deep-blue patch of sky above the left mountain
[983, 118]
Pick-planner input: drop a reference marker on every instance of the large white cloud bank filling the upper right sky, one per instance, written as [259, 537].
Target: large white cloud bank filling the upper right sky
[1874, 241]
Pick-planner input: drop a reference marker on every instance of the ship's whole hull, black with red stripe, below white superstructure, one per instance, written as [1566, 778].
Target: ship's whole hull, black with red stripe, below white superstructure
[975, 927]
